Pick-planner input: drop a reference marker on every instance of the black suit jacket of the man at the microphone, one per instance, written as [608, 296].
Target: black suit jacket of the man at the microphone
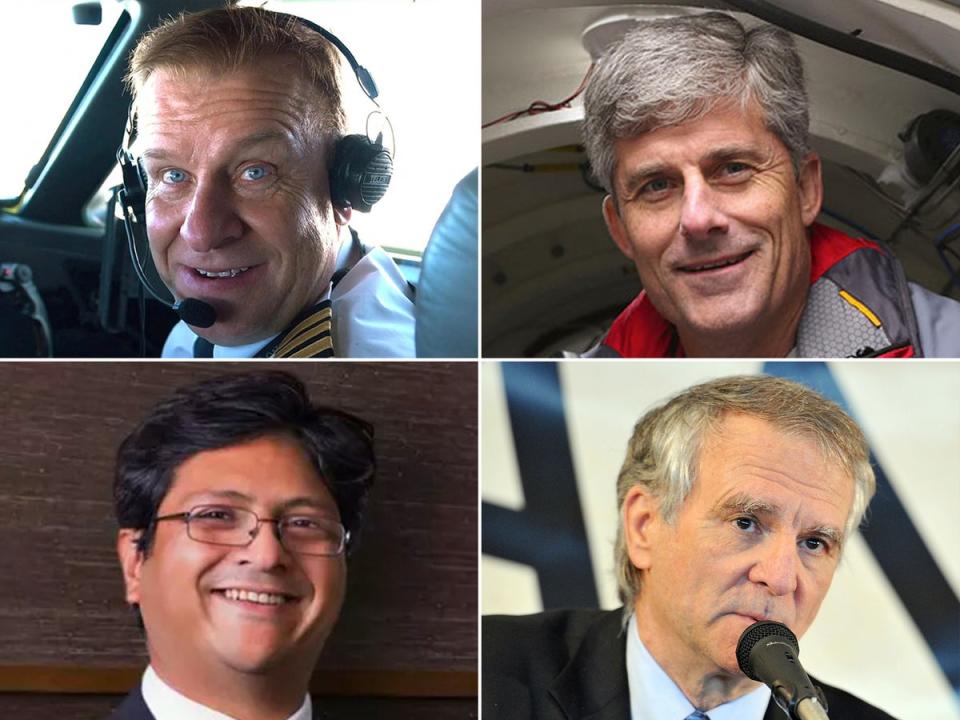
[571, 665]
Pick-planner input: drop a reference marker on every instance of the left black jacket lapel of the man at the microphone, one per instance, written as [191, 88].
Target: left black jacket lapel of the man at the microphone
[593, 685]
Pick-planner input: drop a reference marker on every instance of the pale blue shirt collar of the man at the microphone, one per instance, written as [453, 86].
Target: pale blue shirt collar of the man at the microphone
[654, 696]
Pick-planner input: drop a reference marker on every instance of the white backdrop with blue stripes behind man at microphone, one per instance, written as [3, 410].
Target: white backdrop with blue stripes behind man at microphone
[554, 435]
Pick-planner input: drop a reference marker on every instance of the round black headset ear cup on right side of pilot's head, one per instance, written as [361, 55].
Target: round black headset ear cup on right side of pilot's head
[360, 174]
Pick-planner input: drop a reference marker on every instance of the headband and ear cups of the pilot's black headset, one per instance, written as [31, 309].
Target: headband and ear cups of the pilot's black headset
[359, 175]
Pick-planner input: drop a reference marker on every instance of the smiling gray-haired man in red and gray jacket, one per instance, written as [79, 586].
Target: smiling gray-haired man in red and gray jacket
[698, 130]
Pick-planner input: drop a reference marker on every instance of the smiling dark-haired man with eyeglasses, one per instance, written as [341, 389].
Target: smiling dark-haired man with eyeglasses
[237, 501]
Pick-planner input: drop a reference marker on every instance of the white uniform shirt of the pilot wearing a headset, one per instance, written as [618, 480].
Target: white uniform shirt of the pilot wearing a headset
[373, 316]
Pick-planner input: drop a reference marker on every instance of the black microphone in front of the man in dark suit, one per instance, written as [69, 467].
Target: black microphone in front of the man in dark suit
[768, 652]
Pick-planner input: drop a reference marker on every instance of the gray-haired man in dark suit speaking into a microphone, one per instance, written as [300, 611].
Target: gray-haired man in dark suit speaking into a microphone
[736, 498]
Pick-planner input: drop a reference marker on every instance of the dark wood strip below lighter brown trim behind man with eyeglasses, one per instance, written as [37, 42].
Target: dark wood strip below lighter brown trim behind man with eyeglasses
[99, 707]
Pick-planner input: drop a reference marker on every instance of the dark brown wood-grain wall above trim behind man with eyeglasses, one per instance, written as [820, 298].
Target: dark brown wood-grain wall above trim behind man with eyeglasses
[412, 589]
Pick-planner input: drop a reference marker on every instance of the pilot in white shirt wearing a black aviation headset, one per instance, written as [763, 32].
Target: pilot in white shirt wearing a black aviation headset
[237, 168]
